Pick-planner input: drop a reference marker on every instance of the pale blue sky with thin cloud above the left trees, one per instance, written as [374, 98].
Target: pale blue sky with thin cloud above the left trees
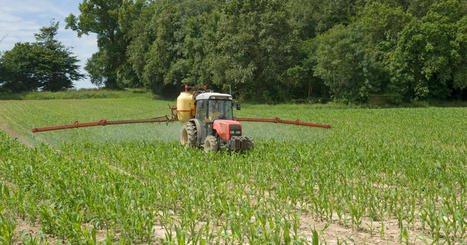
[20, 19]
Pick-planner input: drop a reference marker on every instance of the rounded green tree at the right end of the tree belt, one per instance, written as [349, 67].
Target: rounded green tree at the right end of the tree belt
[429, 60]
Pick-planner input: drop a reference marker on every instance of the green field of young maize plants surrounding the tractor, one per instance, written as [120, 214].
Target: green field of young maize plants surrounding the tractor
[376, 168]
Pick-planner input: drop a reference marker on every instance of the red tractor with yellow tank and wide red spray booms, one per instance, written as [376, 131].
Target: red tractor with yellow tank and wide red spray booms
[207, 119]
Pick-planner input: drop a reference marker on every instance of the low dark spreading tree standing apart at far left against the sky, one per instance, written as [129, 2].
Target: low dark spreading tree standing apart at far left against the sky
[45, 64]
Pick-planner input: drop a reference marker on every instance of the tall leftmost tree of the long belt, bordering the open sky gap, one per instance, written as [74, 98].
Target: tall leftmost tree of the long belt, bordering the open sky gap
[102, 17]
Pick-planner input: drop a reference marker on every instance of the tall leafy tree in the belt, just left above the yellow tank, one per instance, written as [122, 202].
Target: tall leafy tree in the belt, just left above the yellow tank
[179, 35]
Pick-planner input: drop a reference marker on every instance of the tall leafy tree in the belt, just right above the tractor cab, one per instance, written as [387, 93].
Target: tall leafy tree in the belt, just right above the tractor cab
[255, 46]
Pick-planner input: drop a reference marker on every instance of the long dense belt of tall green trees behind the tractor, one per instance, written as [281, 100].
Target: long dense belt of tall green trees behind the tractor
[282, 49]
